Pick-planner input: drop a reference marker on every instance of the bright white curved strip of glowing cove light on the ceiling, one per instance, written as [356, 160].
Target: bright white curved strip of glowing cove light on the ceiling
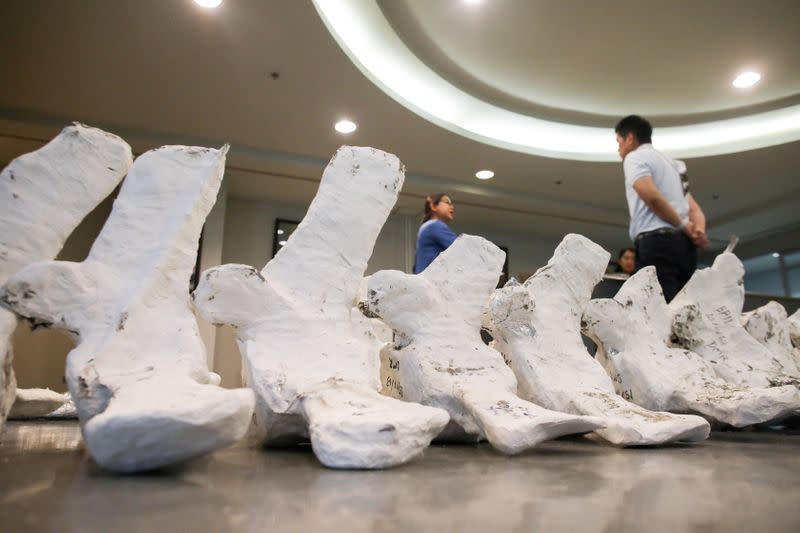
[372, 45]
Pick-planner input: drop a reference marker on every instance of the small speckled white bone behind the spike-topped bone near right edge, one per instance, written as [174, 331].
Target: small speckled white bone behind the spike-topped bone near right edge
[769, 325]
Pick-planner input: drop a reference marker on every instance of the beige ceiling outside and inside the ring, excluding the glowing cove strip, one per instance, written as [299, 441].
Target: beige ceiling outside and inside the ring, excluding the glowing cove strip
[159, 71]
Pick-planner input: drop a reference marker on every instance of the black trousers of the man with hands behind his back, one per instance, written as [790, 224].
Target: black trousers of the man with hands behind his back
[672, 253]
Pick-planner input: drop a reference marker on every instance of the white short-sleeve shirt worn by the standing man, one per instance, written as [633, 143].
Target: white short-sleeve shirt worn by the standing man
[647, 161]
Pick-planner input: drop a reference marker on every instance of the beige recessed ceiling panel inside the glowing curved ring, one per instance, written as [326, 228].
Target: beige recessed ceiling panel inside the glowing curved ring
[661, 59]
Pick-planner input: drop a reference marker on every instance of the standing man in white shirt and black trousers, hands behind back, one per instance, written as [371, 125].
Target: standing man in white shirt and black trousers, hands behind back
[667, 224]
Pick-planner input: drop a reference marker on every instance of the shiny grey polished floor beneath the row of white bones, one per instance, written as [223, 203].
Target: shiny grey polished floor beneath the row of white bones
[737, 481]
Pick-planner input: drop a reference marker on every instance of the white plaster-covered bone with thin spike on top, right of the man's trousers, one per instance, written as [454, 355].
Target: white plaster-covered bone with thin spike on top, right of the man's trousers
[705, 320]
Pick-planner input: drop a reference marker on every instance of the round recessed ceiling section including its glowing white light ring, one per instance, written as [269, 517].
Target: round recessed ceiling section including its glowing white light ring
[508, 73]
